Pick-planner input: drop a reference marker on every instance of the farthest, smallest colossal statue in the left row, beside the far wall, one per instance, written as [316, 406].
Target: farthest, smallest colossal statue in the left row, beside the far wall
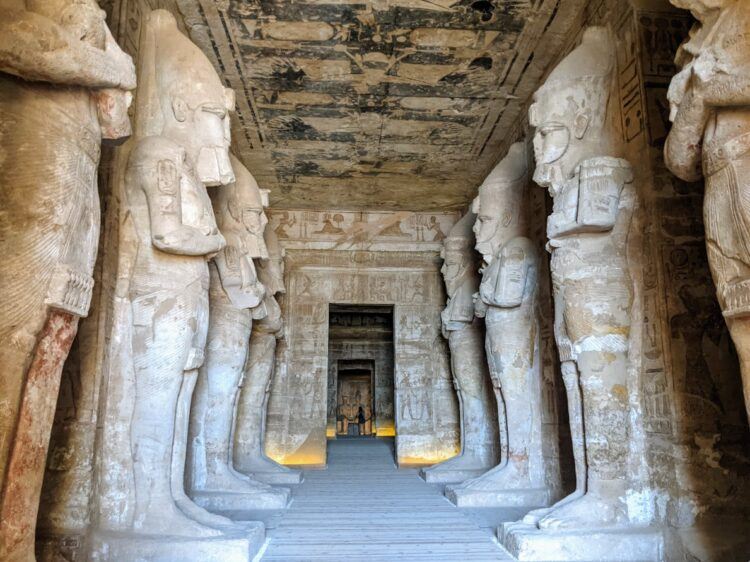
[249, 454]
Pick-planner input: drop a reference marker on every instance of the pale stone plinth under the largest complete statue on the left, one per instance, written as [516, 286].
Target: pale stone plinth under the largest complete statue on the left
[242, 546]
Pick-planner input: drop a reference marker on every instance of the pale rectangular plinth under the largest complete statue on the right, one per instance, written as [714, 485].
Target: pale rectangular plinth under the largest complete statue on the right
[622, 544]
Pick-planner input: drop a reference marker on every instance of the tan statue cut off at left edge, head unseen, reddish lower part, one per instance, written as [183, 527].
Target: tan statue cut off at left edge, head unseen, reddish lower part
[63, 88]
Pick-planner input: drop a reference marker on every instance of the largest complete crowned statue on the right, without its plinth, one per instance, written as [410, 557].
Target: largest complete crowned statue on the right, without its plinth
[575, 145]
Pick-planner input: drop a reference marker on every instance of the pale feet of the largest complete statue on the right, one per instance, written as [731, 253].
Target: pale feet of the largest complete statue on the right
[590, 511]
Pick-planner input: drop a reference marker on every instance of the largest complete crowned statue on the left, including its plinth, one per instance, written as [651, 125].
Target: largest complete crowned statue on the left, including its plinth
[168, 233]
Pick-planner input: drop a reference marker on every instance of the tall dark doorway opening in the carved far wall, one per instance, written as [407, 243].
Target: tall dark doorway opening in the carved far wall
[360, 371]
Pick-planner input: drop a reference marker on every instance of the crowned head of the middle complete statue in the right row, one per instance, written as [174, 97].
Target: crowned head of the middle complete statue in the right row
[499, 203]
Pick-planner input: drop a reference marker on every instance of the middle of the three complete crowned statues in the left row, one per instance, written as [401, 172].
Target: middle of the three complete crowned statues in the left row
[235, 298]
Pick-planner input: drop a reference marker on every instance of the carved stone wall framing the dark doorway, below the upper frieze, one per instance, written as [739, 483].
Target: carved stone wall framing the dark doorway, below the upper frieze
[426, 416]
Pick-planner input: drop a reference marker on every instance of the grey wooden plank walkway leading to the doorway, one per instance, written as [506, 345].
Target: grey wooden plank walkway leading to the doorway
[362, 508]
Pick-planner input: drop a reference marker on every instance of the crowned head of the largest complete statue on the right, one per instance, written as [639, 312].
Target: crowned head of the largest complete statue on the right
[569, 112]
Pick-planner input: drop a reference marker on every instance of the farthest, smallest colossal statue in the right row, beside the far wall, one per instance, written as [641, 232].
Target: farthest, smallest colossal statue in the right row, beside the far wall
[462, 329]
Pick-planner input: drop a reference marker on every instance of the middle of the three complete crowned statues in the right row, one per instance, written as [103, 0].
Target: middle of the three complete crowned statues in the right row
[508, 302]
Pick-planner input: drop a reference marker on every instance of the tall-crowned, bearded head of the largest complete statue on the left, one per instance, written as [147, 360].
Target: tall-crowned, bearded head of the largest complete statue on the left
[182, 97]
